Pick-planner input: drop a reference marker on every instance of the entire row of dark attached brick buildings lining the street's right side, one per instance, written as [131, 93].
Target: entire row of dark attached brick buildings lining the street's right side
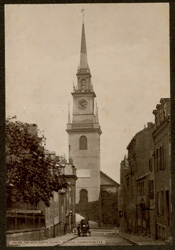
[145, 191]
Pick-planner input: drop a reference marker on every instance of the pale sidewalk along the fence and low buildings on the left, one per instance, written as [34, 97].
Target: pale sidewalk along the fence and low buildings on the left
[48, 242]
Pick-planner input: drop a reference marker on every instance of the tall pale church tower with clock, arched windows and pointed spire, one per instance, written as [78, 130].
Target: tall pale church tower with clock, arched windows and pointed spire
[84, 132]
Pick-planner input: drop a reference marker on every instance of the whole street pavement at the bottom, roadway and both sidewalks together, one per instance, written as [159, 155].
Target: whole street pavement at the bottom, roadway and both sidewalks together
[99, 237]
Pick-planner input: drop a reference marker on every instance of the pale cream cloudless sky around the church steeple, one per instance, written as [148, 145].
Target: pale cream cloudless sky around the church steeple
[128, 55]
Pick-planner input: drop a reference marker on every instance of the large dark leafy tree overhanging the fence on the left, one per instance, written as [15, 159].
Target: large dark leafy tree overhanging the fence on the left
[30, 175]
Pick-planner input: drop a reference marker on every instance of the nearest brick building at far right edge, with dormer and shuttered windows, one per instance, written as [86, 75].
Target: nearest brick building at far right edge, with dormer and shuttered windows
[162, 169]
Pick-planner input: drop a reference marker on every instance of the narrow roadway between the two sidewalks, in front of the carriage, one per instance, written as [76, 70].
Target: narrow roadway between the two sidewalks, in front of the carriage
[98, 237]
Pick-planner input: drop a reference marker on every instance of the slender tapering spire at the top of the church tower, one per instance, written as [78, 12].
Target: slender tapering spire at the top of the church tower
[83, 51]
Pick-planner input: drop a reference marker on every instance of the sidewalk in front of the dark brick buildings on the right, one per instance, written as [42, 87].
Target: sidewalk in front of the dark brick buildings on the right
[141, 240]
